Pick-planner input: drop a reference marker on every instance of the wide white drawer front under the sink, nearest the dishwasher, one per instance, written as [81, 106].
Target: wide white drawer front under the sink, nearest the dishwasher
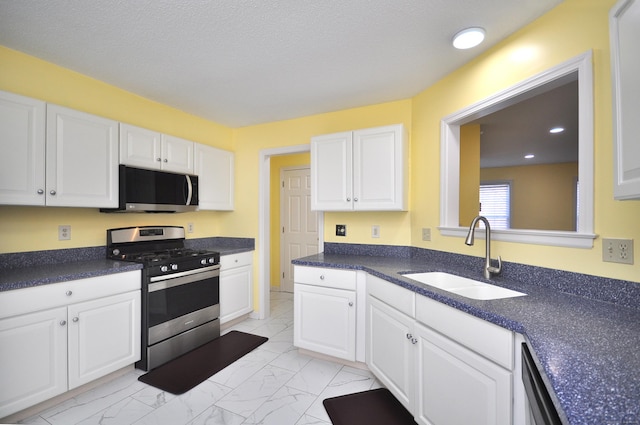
[486, 339]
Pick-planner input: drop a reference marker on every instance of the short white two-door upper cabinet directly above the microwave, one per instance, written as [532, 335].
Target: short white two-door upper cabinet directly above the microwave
[148, 149]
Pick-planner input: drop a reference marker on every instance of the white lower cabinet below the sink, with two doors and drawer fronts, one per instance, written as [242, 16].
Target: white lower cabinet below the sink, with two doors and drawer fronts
[445, 366]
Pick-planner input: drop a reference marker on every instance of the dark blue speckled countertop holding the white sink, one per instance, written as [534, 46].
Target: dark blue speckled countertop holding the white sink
[583, 330]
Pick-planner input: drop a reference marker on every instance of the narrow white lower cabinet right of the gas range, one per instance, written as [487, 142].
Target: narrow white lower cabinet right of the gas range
[236, 285]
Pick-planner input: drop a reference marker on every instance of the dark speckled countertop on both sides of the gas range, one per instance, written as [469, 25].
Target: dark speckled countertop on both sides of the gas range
[28, 269]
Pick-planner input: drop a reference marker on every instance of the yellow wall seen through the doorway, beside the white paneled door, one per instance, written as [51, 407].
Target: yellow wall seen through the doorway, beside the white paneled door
[277, 164]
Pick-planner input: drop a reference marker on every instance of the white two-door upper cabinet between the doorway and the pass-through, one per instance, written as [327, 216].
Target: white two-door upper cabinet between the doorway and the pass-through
[362, 170]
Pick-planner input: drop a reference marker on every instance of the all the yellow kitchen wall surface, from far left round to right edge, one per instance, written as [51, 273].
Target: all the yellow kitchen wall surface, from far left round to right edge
[572, 28]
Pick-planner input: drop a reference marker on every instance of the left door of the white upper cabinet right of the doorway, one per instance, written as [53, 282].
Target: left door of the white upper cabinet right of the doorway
[331, 172]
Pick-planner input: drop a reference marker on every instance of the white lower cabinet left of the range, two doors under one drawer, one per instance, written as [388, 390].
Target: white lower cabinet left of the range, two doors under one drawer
[56, 337]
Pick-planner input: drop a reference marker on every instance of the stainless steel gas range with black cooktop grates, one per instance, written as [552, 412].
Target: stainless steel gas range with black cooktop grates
[180, 290]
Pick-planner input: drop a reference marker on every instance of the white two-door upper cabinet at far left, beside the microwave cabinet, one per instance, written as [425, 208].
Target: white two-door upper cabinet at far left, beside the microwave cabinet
[56, 156]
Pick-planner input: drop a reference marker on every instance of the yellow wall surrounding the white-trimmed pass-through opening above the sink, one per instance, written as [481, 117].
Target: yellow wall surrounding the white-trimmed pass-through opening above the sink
[572, 28]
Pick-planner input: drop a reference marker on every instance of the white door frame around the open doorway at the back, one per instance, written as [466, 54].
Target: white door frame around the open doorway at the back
[264, 229]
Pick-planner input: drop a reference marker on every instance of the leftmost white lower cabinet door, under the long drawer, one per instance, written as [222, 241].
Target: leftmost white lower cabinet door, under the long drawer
[33, 359]
